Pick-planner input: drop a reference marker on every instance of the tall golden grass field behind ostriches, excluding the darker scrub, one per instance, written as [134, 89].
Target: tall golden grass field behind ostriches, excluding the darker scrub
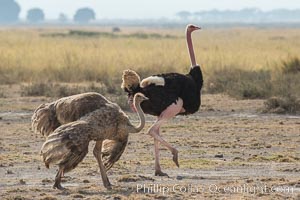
[32, 55]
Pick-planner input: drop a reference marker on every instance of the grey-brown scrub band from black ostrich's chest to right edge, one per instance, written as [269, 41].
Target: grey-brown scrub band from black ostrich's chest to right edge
[245, 84]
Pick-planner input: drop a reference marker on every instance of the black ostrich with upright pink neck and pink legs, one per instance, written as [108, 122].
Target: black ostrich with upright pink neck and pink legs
[169, 95]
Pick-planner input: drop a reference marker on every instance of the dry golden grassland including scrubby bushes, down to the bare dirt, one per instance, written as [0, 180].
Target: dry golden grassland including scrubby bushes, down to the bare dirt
[242, 62]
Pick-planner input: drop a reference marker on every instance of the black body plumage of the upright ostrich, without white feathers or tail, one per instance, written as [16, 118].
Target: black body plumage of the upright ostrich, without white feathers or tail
[187, 87]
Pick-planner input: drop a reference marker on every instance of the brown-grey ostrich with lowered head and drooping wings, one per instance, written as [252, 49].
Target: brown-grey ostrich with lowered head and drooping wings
[70, 123]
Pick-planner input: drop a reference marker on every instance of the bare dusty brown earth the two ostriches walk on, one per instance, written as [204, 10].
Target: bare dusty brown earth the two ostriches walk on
[228, 150]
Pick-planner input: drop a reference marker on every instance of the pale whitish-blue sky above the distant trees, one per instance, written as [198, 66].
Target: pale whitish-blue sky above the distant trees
[129, 9]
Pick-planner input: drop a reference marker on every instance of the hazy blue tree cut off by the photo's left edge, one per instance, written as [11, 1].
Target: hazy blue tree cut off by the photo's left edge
[9, 11]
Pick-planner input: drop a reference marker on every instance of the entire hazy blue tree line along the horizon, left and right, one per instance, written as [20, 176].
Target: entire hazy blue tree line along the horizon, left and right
[10, 10]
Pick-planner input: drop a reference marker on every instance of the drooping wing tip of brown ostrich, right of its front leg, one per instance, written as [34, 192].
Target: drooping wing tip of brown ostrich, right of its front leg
[112, 151]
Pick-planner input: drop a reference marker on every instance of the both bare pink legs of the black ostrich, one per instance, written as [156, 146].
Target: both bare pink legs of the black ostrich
[170, 112]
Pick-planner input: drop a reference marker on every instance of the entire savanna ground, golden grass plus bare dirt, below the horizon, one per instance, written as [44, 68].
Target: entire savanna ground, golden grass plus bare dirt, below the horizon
[229, 145]
